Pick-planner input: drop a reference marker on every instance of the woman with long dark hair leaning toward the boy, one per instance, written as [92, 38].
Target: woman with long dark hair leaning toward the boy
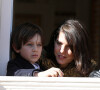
[68, 50]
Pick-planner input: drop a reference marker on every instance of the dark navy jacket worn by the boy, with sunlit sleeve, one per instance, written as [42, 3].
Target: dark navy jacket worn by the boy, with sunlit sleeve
[20, 67]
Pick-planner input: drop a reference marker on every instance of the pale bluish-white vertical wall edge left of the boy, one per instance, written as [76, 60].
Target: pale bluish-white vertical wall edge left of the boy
[6, 8]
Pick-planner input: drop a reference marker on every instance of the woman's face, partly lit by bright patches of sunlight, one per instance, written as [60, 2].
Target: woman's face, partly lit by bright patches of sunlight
[62, 51]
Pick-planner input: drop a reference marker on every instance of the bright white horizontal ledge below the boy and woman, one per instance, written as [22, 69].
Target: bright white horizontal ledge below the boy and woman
[48, 83]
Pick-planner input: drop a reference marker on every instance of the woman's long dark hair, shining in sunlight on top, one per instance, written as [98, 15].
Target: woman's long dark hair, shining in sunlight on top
[77, 38]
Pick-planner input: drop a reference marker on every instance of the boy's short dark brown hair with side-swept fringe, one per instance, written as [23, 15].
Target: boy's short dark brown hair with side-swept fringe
[24, 32]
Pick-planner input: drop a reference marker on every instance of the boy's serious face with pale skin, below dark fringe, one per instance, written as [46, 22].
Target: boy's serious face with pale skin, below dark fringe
[31, 51]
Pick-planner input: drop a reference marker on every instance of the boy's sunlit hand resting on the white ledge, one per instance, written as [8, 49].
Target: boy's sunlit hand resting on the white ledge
[52, 72]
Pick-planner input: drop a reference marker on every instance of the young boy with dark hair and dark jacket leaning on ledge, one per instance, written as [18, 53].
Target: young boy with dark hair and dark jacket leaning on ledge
[26, 43]
